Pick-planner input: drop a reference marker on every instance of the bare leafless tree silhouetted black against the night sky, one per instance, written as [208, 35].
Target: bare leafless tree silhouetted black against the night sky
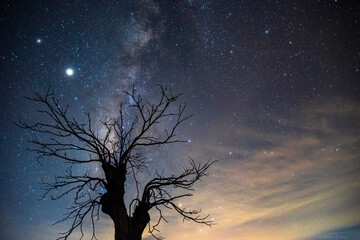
[117, 152]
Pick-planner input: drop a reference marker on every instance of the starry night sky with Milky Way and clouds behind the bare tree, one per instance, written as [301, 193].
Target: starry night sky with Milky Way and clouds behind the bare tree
[273, 86]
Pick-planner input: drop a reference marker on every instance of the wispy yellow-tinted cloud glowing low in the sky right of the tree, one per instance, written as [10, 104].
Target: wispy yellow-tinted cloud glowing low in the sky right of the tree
[292, 185]
